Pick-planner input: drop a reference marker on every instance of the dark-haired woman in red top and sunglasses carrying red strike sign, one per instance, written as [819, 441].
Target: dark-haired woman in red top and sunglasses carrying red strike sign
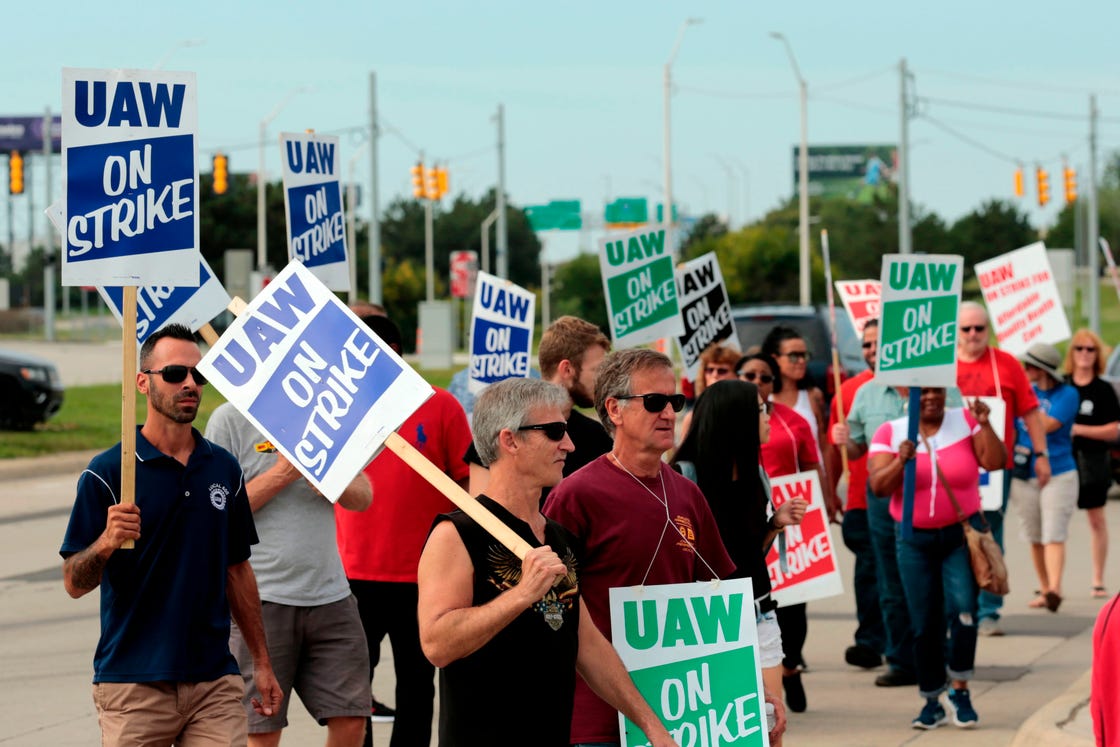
[791, 449]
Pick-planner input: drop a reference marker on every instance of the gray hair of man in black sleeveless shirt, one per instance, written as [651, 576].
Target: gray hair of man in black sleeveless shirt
[506, 406]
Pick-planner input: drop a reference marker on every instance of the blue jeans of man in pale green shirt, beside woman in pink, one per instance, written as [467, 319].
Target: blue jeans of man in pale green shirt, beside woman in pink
[900, 640]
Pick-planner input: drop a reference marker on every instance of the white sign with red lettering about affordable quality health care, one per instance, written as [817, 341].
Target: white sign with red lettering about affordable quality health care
[1023, 300]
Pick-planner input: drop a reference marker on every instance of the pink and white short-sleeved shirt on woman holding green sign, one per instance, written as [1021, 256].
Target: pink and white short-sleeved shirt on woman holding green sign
[953, 446]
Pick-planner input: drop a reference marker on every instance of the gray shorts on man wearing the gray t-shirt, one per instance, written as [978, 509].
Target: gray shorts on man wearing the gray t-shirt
[319, 651]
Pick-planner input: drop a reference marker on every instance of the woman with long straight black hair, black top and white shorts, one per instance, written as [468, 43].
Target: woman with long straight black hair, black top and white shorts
[731, 421]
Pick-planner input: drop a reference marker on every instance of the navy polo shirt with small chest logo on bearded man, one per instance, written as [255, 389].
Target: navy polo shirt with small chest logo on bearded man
[165, 615]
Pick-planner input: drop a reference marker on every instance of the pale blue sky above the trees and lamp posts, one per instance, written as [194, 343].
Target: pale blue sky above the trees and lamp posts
[582, 87]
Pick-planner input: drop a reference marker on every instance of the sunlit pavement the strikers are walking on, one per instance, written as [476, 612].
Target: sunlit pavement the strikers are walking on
[46, 645]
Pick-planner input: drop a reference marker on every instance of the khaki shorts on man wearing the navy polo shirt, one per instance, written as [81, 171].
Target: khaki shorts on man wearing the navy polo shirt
[158, 714]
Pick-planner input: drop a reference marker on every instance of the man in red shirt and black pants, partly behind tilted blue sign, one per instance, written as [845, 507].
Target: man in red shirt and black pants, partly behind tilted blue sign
[381, 547]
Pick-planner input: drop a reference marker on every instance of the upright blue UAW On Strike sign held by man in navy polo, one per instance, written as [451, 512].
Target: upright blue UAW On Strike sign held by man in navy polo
[130, 179]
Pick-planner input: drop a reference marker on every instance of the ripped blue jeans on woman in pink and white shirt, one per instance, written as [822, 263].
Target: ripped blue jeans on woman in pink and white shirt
[939, 583]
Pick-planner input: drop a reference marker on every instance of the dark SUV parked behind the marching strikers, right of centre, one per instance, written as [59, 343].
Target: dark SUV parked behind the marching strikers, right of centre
[753, 323]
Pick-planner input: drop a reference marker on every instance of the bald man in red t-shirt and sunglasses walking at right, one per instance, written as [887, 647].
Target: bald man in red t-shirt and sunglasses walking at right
[984, 371]
